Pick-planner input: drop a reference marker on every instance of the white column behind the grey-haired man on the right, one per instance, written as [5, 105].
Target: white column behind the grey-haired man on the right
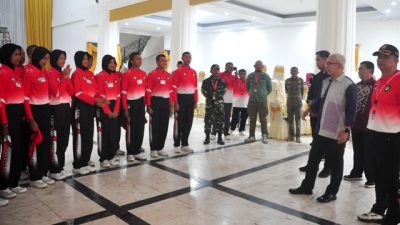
[336, 30]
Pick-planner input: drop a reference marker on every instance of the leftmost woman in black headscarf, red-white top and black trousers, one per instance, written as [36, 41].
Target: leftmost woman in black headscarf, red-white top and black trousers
[14, 106]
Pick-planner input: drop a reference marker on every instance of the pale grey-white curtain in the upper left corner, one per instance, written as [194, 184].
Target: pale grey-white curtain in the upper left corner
[12, 16]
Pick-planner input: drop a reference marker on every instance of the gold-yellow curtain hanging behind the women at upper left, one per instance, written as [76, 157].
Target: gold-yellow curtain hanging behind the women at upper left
[38, 16]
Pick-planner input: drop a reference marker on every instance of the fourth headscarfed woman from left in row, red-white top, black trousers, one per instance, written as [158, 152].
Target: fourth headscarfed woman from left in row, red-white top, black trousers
[84, 109]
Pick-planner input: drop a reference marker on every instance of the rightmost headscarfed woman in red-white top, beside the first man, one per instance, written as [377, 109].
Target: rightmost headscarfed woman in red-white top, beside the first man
[108, 87]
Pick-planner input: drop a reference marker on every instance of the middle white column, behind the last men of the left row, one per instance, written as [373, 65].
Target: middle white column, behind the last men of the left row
[183, 30]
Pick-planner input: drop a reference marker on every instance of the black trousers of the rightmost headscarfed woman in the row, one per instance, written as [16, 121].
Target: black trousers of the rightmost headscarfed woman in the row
[107, 134]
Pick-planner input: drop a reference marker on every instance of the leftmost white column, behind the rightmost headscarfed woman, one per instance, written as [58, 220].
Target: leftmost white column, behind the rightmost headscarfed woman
[108, 33]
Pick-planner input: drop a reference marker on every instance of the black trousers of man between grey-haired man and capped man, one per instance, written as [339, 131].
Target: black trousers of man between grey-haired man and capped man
[362, 157]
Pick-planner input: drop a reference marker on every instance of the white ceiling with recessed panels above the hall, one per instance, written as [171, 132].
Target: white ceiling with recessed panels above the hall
[233, 14]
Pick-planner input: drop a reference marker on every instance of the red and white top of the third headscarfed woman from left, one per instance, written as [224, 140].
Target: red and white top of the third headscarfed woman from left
[61, 88]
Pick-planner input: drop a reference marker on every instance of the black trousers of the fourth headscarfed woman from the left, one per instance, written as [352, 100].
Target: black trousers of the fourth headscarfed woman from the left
[83, 140]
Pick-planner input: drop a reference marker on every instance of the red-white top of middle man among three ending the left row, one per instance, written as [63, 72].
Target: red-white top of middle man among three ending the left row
[160, 84]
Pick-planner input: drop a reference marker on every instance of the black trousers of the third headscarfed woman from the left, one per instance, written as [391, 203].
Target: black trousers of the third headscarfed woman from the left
[61, 115]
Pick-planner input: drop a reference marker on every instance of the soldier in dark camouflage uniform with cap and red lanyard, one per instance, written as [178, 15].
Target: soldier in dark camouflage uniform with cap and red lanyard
[213, 89]
